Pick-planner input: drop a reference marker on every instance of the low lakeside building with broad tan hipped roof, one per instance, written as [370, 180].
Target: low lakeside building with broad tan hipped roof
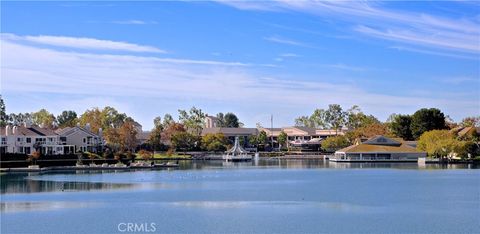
[378, 148]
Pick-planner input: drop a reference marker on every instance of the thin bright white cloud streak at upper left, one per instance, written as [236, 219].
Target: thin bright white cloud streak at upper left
[83, 43]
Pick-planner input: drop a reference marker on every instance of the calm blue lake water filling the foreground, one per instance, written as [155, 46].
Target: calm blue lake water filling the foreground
[269, 196]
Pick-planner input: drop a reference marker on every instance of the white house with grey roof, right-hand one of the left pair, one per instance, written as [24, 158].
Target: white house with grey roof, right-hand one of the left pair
[83, 139]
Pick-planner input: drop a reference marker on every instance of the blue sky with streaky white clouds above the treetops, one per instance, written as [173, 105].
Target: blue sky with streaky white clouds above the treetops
[251, 58]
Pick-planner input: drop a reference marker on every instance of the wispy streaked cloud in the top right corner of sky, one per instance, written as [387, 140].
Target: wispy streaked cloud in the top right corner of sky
[461, 34]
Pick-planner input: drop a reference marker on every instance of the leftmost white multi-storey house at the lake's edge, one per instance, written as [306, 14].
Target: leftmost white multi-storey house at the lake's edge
[26, 139]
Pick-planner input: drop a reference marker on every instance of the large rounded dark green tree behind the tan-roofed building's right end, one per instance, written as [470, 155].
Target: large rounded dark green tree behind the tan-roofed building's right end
[425, 120]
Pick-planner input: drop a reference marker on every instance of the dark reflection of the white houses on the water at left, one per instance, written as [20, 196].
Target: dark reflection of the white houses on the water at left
[20, 183]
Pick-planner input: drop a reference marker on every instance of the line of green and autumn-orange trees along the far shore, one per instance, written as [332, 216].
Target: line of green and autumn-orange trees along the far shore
[184, 134]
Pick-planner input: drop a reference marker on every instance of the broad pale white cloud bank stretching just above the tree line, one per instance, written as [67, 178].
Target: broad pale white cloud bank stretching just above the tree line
[29, 69]
